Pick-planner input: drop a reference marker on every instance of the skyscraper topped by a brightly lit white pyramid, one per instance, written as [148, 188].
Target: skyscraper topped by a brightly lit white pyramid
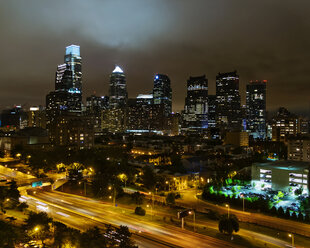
[118, 90]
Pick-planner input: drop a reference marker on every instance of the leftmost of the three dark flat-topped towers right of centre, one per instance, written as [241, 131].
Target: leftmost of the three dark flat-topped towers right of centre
[195, 115]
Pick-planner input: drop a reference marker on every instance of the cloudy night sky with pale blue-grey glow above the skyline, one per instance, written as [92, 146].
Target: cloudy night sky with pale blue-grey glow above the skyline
[181, 38]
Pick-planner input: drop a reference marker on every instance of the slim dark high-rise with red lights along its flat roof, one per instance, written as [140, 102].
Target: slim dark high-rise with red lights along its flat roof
[256, 108]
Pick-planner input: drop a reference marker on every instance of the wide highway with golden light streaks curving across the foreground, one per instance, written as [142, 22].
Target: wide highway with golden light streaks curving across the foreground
[82, 213]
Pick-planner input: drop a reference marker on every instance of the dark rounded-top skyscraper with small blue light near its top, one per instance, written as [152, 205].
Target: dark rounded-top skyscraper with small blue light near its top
[162, 92]
